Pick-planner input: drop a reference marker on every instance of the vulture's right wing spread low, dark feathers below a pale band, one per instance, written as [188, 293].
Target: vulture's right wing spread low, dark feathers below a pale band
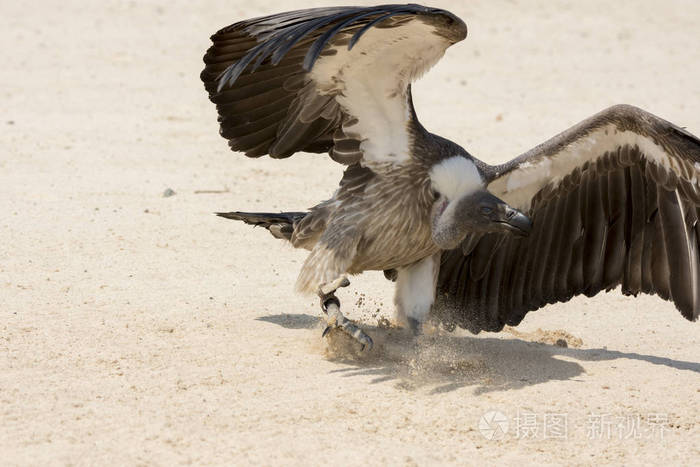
[614, 201]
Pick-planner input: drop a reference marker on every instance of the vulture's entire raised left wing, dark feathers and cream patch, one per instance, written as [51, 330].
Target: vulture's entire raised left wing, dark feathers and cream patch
[326, 79]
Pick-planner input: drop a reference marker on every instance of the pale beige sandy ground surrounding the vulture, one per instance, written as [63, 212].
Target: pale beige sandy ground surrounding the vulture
[140, 329]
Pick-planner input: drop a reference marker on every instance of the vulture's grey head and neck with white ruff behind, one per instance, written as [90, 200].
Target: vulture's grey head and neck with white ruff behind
[463, 205]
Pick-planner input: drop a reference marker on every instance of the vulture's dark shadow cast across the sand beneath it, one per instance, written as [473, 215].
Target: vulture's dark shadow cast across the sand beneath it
[447, 362]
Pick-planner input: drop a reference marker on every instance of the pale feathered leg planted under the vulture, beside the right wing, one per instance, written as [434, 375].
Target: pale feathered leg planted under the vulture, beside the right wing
[415, 291]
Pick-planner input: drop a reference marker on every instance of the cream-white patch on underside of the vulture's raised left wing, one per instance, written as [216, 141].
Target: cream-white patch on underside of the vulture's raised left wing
[370, 82]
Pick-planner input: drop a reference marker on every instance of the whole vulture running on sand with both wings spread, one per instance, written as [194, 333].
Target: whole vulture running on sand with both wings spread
[613, 201]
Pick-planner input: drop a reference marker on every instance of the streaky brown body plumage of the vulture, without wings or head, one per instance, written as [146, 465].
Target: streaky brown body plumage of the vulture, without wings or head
[357, 229]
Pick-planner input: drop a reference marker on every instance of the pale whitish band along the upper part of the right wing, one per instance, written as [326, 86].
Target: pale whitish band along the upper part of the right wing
[519, 186]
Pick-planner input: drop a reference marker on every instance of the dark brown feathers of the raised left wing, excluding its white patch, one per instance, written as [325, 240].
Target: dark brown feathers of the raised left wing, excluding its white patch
[257, 75]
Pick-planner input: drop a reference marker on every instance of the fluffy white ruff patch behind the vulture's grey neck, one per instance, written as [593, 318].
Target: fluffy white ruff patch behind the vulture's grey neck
[455, 177]
